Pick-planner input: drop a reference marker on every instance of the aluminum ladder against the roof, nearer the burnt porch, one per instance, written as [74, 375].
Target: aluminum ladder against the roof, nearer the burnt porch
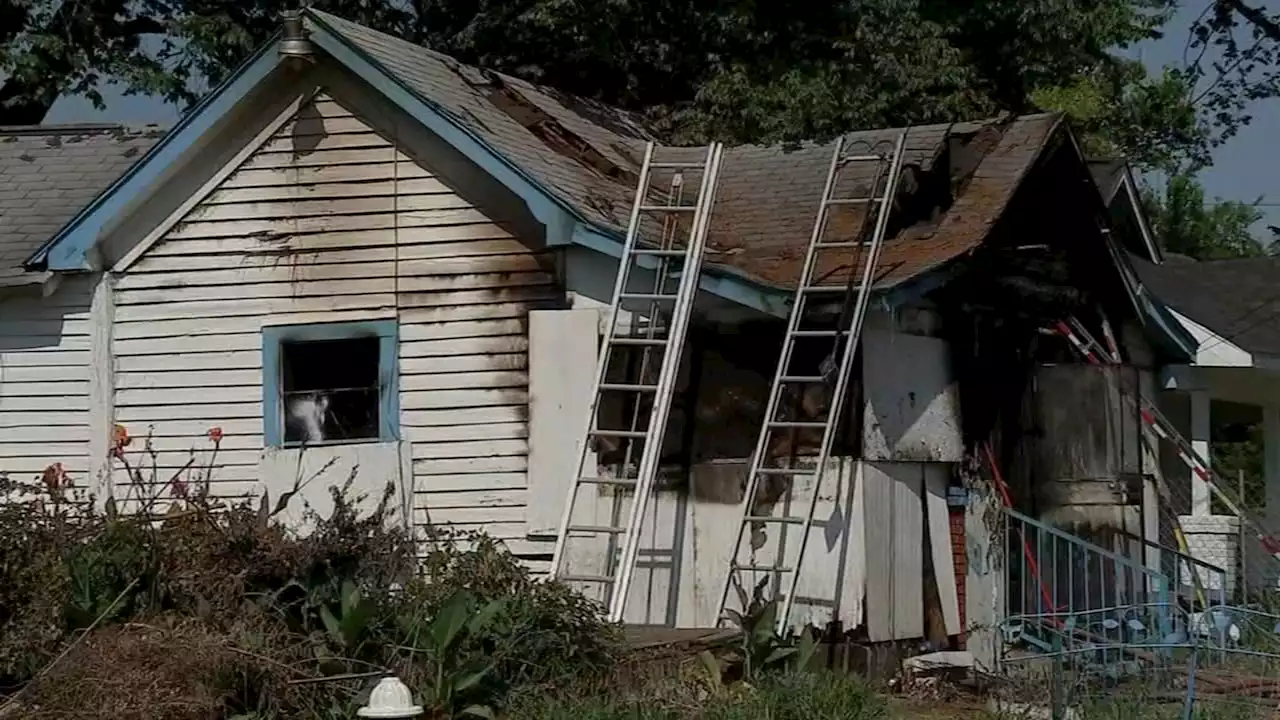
[843, 344]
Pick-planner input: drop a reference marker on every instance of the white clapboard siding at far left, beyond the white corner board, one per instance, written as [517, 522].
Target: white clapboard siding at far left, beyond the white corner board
[44, 382]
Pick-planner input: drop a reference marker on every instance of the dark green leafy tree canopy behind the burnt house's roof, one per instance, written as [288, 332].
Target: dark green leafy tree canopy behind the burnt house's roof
[740, 72]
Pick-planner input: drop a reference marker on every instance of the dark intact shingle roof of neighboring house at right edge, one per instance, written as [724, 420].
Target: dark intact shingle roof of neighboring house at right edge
[1237, 299]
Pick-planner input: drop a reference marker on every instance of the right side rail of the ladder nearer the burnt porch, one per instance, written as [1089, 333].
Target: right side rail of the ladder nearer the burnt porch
[852, 343]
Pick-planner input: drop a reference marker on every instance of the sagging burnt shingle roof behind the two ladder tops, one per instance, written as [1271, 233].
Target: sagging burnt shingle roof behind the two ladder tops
[589, 156]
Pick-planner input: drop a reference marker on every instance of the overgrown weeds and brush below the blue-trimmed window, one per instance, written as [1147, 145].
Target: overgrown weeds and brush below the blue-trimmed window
[189, 609]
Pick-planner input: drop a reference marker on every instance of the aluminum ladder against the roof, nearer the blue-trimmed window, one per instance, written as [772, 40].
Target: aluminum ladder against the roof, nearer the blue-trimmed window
[669, 259]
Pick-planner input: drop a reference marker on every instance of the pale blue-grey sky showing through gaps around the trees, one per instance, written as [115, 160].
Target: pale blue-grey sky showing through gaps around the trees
[1245, 168]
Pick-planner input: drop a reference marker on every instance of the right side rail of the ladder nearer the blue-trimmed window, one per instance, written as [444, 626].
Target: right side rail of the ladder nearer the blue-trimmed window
[656, 432]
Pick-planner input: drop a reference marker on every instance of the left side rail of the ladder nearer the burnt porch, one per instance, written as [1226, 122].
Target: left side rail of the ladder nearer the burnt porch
[798, 307]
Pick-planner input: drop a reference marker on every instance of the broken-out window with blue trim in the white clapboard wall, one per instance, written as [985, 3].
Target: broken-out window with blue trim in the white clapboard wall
[331, 384]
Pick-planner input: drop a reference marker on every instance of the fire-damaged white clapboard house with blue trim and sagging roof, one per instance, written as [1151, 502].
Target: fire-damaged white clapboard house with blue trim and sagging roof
[429, 247]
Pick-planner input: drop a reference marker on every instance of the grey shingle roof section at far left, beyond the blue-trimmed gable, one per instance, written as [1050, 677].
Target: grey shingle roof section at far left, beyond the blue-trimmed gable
[48, 174]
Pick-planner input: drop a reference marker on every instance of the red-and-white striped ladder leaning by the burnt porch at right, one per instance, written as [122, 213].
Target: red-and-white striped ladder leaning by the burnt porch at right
[1095, 353]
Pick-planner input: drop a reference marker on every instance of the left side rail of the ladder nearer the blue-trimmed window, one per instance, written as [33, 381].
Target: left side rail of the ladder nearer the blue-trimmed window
[602, 363]
